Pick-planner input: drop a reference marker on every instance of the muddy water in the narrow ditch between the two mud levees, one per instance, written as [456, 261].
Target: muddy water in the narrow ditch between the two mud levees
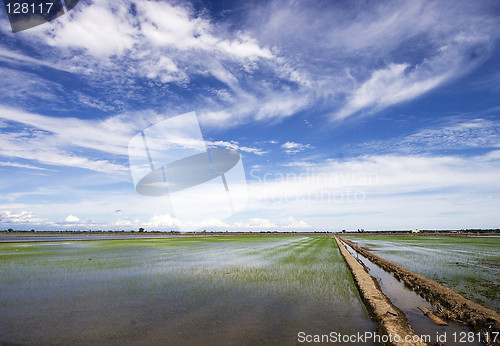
[408, 301]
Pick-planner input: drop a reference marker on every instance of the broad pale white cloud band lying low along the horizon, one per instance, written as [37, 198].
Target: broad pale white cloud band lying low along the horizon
[372, 191]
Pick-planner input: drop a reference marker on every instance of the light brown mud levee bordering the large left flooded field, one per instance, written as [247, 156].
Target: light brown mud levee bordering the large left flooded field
[391, 321]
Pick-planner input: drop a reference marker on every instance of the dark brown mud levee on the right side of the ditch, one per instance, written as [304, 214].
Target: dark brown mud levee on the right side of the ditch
[450, 304]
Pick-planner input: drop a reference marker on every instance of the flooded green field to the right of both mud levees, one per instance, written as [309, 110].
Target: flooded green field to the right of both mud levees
[468, 265]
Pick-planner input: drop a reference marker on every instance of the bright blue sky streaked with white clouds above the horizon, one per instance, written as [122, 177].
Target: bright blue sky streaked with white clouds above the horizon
[375, 115]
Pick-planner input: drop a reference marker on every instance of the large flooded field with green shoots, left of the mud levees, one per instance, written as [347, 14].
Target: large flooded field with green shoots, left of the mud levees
[203, 290]
